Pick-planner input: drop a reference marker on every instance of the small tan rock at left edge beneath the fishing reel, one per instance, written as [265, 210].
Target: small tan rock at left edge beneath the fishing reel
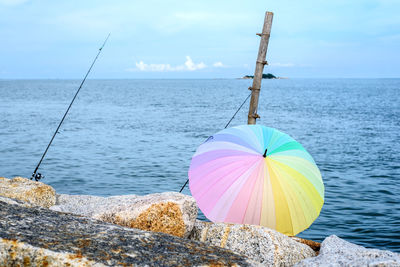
[33, 192]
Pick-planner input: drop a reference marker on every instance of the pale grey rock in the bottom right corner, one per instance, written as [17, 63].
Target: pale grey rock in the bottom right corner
[338, 252]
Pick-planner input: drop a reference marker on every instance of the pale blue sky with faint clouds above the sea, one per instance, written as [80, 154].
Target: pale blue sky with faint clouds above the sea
[171, 39]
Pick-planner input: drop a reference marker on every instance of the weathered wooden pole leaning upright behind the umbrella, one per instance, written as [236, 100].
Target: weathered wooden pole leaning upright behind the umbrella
[261, 62]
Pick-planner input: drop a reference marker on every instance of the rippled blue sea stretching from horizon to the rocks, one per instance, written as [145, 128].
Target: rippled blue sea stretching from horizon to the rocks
[138, 137]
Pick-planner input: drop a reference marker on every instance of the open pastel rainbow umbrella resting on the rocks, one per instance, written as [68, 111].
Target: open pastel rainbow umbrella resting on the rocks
[252, 174]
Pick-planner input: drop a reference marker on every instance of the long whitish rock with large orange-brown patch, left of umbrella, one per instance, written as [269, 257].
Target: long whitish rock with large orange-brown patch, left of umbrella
[170, 212]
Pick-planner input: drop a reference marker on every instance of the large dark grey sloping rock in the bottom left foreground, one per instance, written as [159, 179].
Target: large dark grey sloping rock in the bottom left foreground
[41, 237]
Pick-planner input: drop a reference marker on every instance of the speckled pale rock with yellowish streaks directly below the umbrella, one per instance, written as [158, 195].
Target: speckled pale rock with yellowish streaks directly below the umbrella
[261, 244]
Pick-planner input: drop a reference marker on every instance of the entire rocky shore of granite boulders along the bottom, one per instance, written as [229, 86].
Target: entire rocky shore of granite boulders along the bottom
[39, 227]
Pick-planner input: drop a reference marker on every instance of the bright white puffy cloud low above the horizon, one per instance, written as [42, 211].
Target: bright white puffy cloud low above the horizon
[189, 65]
